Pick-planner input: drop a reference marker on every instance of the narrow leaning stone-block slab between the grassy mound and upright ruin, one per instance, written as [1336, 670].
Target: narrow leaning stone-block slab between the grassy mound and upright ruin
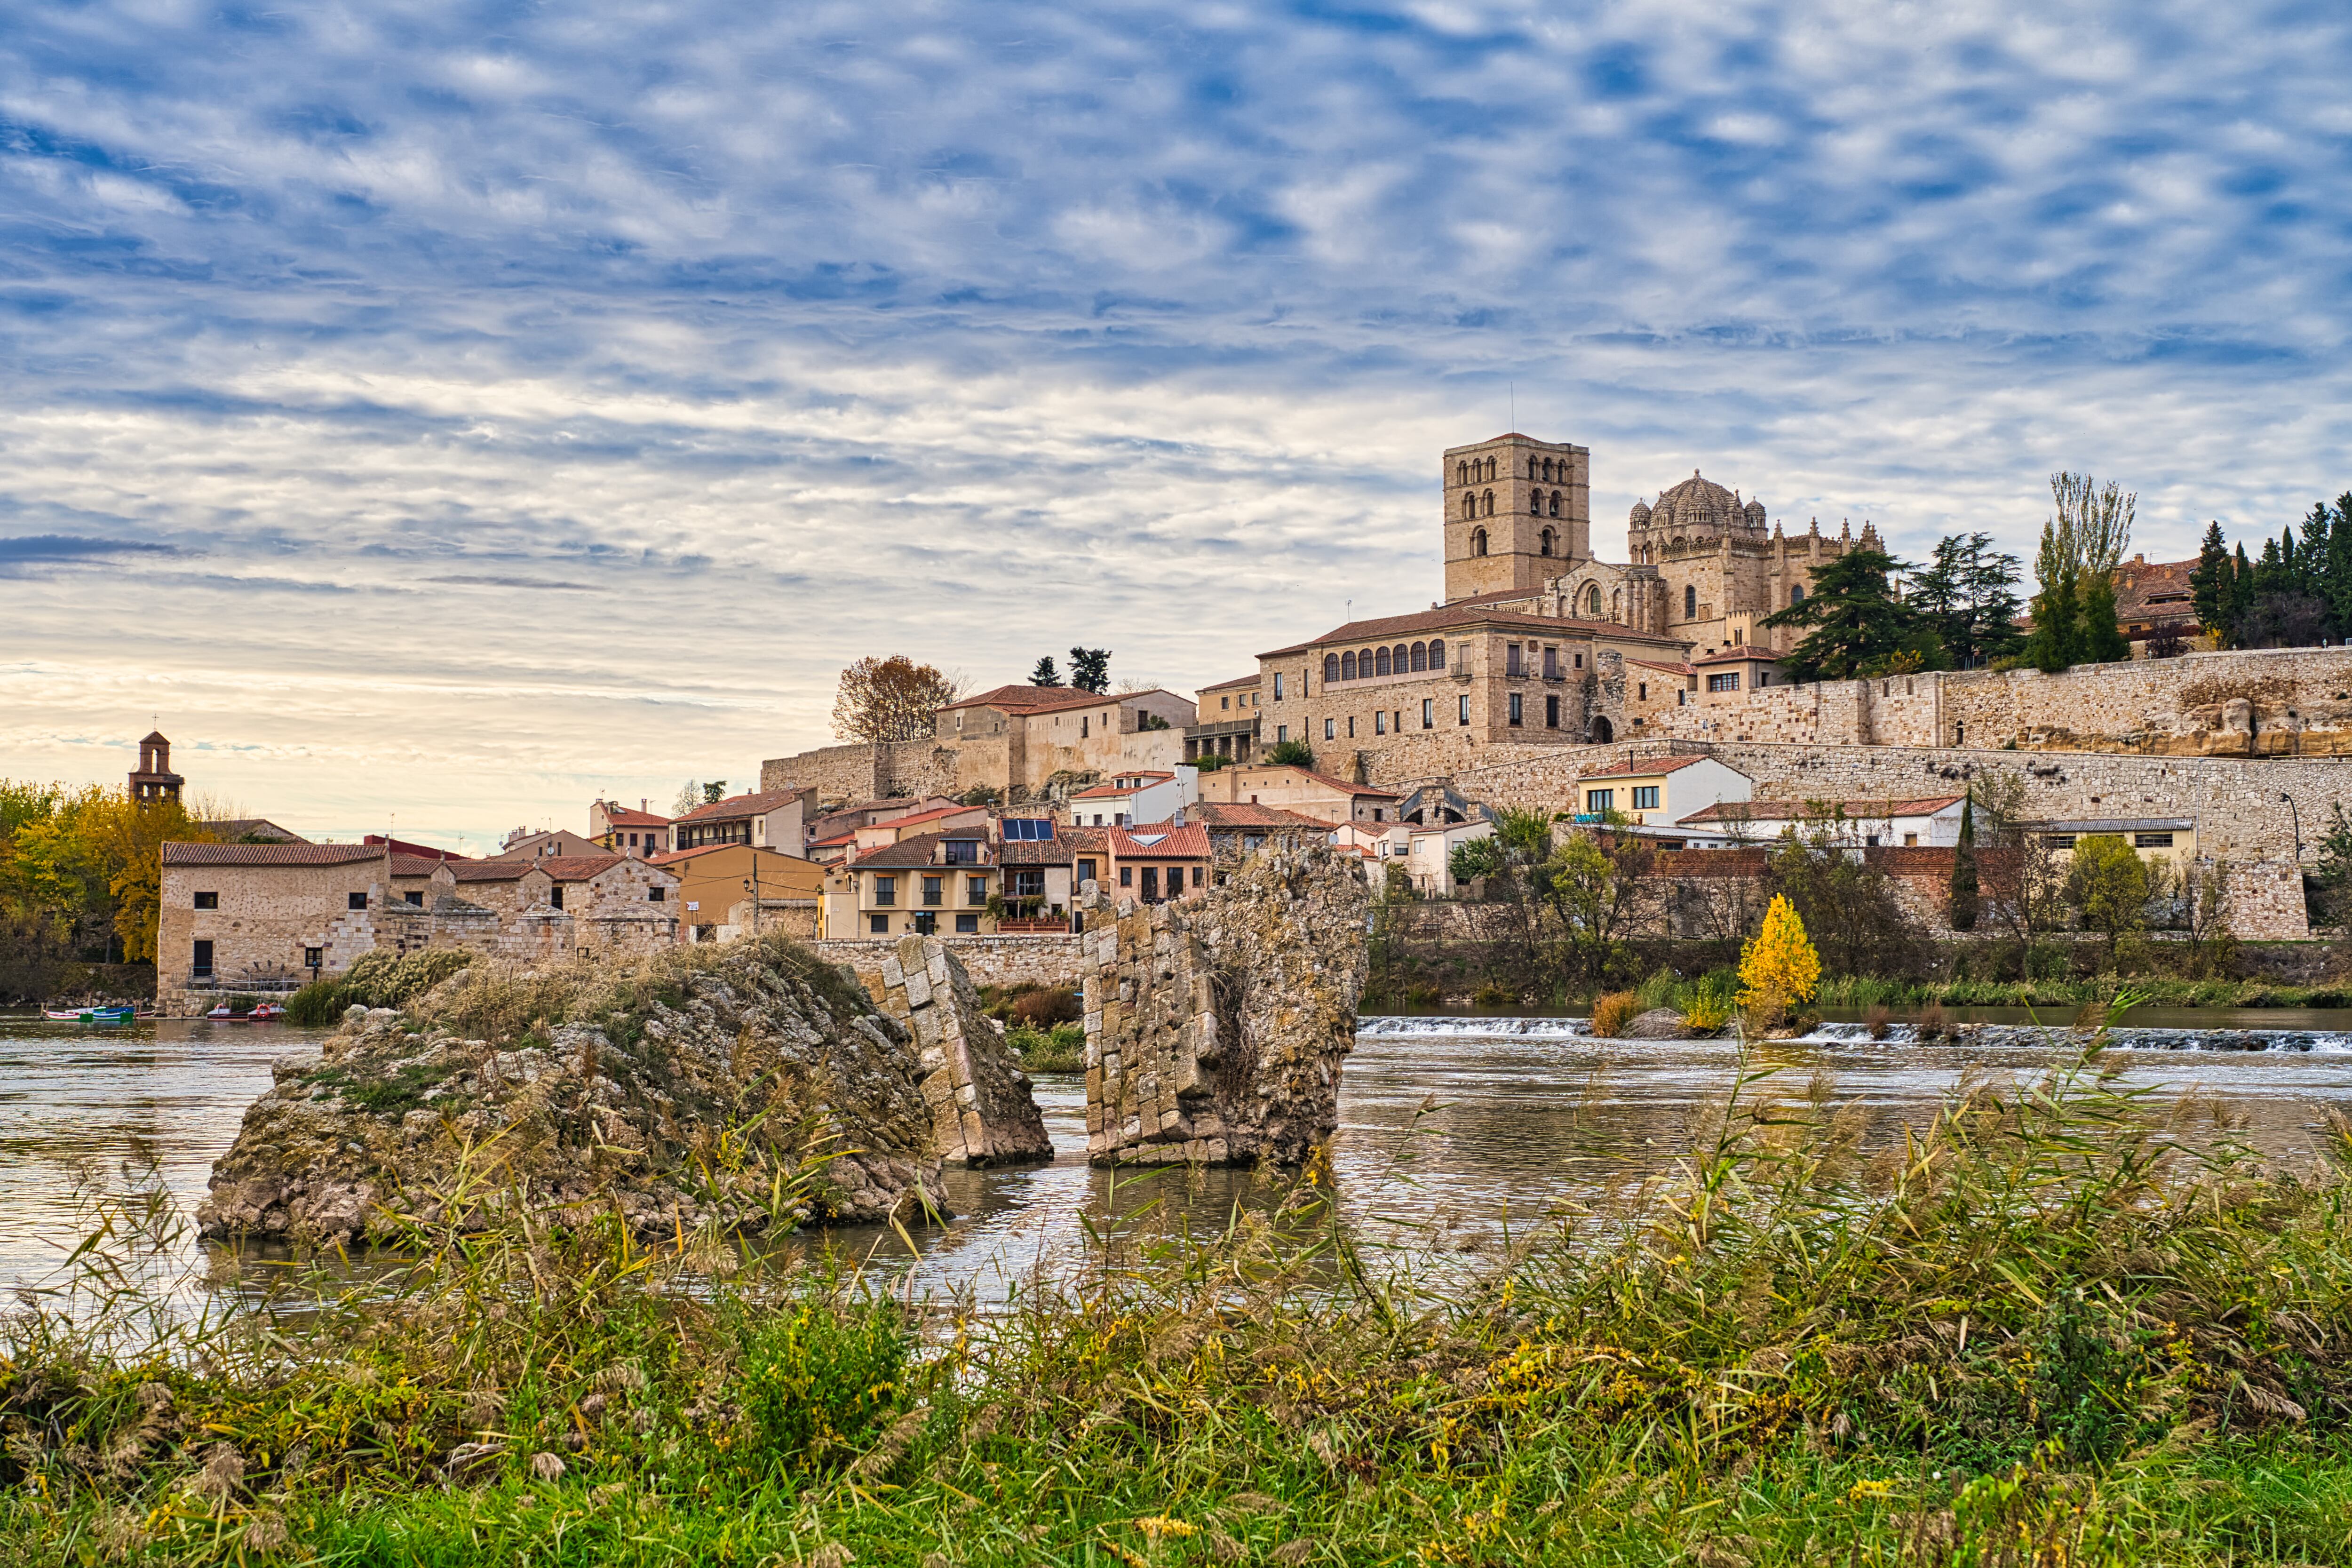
[980, 1099]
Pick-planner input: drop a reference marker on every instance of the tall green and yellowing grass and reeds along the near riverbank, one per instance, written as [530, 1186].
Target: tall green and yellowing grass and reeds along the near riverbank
[2036, 1332]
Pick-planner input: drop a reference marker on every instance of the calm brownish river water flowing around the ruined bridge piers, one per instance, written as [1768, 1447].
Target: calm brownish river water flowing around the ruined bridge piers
[1452, 1130]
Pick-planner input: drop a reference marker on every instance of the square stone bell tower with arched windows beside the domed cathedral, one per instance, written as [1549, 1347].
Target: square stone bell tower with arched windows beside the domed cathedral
[1518, 514]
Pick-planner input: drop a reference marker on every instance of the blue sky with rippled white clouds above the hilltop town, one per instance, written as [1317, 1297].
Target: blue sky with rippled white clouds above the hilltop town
[446, 415]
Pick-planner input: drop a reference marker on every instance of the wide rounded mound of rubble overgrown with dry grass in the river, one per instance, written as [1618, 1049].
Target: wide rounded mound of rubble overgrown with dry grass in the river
[679, 1097]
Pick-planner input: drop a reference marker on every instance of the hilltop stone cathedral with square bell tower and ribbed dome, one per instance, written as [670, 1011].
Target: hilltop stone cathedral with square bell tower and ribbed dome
[1702, 565]
